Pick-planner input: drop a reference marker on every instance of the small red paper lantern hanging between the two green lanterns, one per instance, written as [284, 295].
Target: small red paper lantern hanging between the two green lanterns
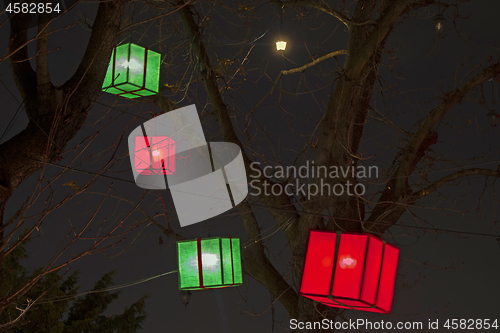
[154, 155]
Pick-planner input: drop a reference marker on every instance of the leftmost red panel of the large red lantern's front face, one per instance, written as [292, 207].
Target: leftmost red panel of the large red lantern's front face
[318, 267]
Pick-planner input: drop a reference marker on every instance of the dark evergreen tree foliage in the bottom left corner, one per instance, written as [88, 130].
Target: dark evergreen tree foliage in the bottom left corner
[58, 310]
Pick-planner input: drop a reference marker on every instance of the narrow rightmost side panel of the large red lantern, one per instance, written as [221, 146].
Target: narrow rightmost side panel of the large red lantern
[387, 278]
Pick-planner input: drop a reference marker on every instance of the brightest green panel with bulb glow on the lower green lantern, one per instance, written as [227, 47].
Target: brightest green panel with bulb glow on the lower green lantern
[211, 263]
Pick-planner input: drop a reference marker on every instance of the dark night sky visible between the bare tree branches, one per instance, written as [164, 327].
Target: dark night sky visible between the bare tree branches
[440, 275]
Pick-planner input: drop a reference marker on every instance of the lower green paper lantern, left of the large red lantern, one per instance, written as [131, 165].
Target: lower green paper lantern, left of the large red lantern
[209, 263]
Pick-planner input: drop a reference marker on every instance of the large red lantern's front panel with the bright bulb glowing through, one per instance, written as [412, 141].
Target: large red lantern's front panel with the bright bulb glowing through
[350, 266]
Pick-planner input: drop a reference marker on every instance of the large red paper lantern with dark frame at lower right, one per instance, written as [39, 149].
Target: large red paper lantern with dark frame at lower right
[350, 270]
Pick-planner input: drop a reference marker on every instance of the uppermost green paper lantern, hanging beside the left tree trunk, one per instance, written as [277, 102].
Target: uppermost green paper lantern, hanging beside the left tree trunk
[133, 71]
